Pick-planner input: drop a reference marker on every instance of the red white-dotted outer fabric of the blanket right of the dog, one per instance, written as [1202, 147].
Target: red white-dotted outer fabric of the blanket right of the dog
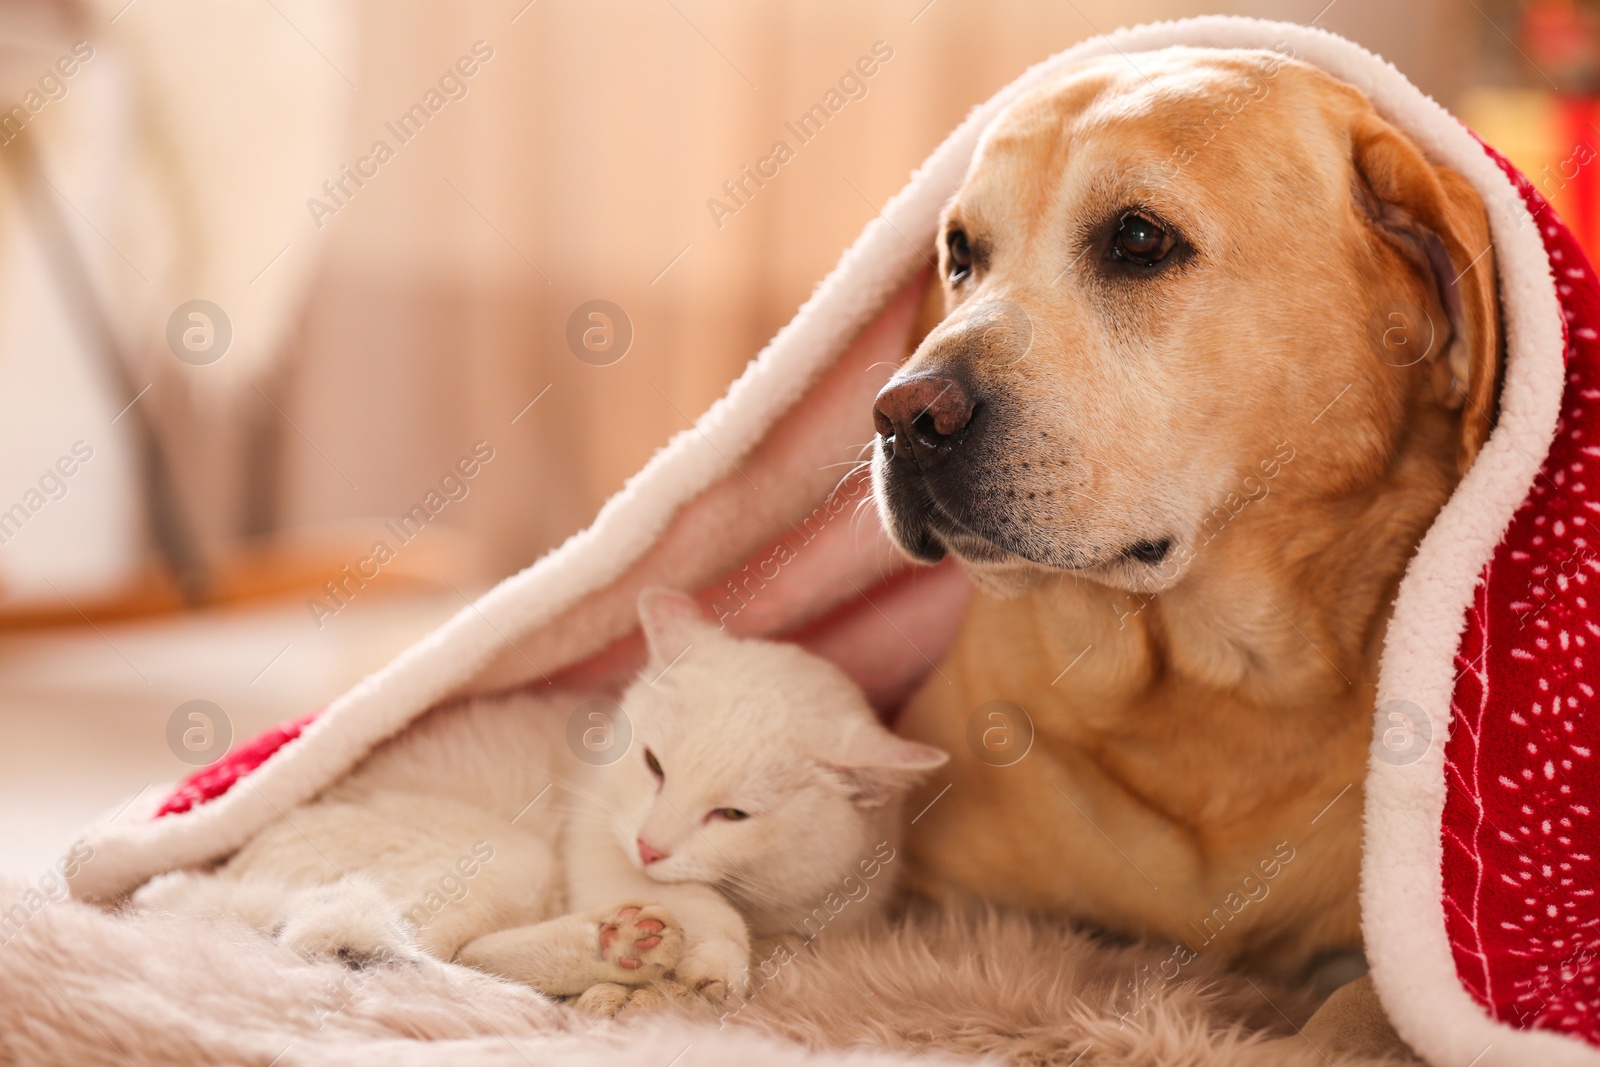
[1521, 828]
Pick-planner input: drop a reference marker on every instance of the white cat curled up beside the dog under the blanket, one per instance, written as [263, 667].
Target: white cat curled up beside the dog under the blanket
[746, 789]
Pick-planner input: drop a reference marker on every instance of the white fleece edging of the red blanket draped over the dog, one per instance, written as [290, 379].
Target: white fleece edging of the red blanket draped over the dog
[1402, 895]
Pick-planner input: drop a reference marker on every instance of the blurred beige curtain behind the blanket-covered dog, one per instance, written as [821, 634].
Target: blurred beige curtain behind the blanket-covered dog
[585, 162]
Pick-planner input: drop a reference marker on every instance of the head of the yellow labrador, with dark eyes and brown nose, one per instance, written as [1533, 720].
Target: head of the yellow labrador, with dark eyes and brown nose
[1164, 278]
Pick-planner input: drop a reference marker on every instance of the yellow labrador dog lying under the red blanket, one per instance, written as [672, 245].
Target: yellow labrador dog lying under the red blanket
[1217, 345]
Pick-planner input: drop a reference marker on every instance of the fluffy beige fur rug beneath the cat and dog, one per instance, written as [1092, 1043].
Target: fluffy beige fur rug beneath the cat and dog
[84, 986]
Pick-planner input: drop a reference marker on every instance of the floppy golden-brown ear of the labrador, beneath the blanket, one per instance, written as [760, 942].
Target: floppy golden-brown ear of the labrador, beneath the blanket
[1444, 218]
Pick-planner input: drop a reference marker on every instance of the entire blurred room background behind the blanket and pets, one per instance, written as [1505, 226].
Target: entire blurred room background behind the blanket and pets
[276, 276]
